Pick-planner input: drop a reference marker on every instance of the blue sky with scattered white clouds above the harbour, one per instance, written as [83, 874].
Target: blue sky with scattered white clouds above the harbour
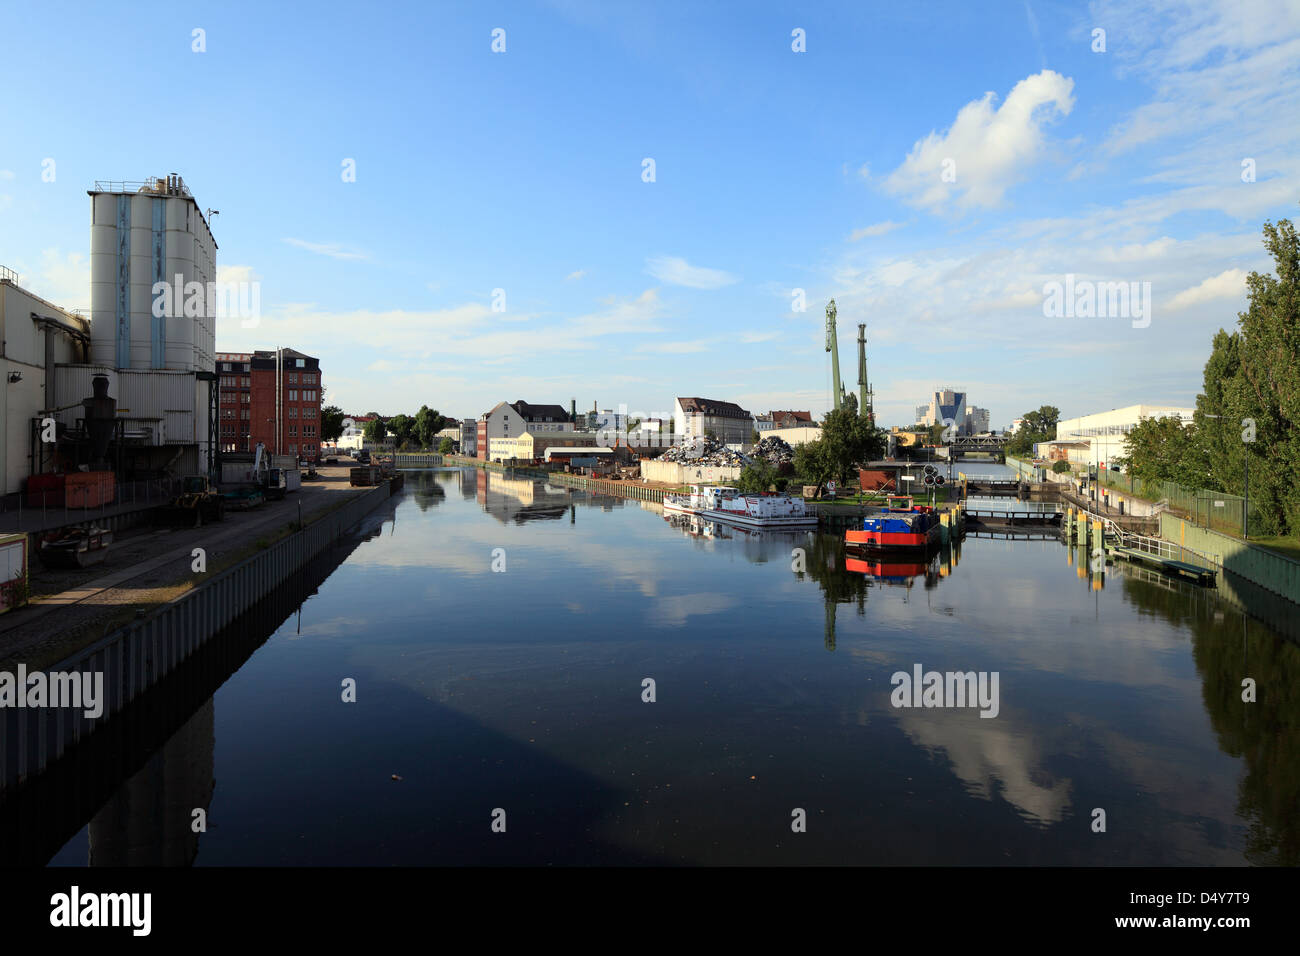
[774, 171]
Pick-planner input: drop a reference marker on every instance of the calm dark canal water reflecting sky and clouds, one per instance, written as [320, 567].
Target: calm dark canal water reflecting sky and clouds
[501, 634]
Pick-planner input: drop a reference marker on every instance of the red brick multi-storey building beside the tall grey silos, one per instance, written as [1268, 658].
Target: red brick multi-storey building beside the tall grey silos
[278, 404]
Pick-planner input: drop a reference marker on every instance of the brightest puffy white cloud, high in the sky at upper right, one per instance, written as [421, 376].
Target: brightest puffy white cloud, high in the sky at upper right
[986, 149]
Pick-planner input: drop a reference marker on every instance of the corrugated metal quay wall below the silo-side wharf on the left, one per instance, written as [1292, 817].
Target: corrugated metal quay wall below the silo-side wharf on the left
[137, 656]
